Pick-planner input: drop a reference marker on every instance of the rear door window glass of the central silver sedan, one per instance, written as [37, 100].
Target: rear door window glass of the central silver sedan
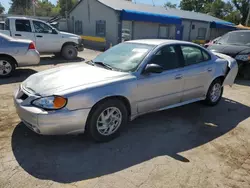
[194, 55]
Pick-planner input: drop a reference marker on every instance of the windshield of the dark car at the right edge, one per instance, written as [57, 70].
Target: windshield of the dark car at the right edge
[237, 38]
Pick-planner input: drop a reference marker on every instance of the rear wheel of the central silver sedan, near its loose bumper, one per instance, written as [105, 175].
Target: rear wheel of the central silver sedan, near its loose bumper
[213, 97]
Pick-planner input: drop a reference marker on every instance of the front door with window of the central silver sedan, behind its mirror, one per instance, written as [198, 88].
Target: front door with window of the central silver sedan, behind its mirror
[156, 91]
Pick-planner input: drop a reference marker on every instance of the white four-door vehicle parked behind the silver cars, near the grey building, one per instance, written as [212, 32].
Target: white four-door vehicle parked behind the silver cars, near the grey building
[47, 39]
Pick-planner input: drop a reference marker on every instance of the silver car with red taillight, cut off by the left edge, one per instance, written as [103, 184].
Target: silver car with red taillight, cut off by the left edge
[16, 53]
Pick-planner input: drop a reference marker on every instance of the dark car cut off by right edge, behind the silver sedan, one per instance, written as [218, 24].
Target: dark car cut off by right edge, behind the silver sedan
[237, 45]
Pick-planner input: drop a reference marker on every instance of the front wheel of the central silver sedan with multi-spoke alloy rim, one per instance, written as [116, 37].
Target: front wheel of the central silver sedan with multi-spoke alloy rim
[103, 132]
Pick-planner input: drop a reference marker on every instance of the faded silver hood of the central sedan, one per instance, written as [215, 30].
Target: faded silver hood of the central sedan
[54, 81]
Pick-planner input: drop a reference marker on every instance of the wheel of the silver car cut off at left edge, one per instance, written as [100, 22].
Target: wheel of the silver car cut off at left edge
[7, 67]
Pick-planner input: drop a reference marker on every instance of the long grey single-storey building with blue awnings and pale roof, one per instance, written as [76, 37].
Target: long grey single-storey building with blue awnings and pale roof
[118, 20]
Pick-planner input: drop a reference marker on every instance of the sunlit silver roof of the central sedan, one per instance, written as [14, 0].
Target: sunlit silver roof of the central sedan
[157, 42]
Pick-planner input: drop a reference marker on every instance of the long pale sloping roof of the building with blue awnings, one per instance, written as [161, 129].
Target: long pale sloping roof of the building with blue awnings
[128, 5]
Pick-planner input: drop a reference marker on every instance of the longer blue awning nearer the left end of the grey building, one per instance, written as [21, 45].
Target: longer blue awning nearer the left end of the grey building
[132, 15]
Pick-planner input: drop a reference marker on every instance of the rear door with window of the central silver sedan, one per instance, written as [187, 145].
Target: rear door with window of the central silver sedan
[197, 72]
